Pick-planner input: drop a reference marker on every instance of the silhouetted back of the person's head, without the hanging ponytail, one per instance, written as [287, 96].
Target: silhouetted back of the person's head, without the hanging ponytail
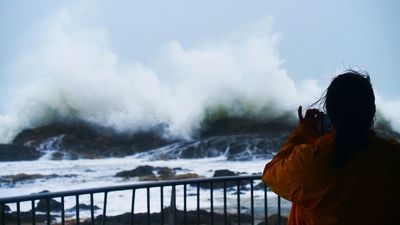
[350, 101]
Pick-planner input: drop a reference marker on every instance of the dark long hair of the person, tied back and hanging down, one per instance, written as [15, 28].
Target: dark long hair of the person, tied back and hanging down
[350, 104]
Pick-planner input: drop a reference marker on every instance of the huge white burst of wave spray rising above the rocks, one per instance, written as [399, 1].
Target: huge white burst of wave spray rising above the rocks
[73, 73]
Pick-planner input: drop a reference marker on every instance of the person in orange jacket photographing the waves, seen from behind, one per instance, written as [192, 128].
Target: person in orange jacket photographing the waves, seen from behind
[346, 176]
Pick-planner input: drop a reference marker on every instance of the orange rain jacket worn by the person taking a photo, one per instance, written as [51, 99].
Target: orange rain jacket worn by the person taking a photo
[365, 191]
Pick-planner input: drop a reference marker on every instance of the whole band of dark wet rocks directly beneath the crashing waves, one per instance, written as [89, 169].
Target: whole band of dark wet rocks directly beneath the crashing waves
[81, 140]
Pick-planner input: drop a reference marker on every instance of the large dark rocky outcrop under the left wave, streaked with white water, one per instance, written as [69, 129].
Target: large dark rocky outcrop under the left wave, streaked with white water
[87, 140]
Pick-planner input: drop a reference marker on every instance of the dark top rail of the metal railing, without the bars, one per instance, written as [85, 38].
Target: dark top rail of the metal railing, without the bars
[123, 187]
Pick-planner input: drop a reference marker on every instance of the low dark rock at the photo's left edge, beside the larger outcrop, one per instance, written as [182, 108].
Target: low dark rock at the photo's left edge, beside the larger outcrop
[17, 152]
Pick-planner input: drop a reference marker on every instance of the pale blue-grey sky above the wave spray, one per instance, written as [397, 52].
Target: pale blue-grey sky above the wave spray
[316, 38]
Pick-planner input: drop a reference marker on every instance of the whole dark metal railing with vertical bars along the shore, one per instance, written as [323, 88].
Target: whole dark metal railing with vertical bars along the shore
[218, 200]
